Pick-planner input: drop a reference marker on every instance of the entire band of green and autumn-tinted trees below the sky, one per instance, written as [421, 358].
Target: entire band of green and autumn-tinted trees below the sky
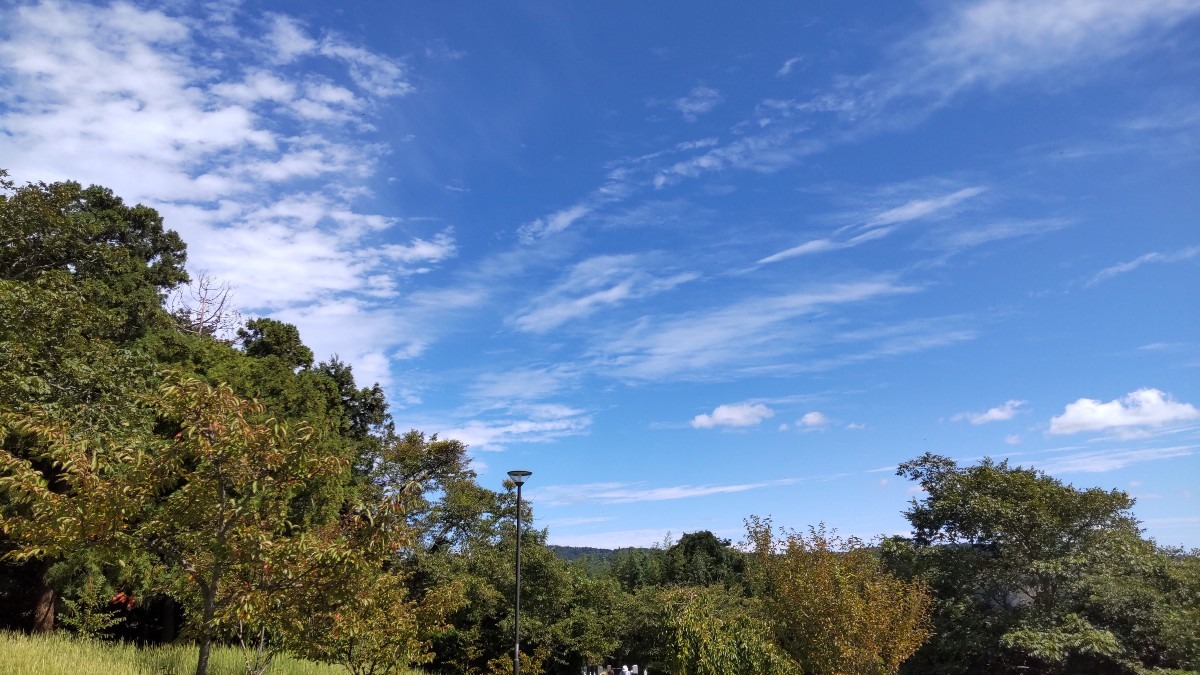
[170, 471]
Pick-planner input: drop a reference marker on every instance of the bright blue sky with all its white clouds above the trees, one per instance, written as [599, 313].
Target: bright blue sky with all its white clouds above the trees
[686, 262]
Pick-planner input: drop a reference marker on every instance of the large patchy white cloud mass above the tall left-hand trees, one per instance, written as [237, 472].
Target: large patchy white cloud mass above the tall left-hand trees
[256, 165]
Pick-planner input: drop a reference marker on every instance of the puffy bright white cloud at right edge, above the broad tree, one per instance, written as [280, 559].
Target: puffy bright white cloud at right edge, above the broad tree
[1144, 409]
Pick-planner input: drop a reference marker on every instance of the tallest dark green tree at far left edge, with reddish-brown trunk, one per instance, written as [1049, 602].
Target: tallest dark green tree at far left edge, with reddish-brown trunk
[81, 280]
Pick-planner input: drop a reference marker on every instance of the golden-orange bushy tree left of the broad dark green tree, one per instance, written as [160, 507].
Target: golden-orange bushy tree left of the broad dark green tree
[831, 605]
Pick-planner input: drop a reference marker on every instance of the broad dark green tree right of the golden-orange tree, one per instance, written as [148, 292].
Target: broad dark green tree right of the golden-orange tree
[1016, 559]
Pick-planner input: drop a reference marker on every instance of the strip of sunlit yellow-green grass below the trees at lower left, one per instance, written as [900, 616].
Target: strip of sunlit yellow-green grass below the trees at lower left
[62, 655]
